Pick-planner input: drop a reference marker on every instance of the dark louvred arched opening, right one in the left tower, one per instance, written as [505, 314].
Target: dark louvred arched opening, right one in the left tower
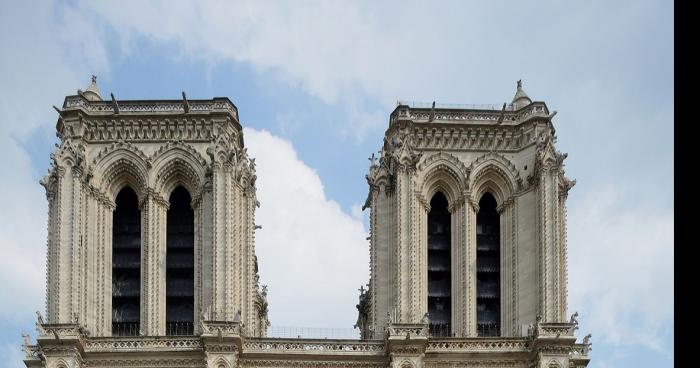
[179, 293]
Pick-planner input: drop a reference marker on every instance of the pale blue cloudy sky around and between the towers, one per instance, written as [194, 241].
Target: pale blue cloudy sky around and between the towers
[315, 81]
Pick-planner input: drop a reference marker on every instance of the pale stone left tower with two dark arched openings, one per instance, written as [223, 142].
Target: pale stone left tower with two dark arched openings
[151, 218]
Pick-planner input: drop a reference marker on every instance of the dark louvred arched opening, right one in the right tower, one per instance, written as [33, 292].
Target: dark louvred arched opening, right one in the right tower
[488, 268]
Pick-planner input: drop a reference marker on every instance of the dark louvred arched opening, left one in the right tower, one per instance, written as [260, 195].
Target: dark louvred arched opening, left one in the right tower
[439, 266]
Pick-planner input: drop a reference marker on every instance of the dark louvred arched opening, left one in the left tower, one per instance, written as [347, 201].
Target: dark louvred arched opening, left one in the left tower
[126, 264]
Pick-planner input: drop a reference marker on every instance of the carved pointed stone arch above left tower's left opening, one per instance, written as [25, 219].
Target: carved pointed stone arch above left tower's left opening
[120, 165]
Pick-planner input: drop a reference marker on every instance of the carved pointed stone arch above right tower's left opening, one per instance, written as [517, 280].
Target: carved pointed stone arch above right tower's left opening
[442, 172]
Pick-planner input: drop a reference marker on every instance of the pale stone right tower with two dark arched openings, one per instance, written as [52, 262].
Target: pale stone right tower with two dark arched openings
[468, 220]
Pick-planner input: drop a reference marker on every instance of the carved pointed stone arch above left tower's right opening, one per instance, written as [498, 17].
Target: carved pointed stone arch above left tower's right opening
[177, 164]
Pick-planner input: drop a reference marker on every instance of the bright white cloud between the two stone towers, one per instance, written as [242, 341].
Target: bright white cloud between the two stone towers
[311, 253]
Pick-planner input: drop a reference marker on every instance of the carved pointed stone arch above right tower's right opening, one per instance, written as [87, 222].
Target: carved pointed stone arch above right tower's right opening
[493, 173]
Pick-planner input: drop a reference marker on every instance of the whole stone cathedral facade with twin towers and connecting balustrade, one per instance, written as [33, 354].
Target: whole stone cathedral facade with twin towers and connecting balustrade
[151, 232]
